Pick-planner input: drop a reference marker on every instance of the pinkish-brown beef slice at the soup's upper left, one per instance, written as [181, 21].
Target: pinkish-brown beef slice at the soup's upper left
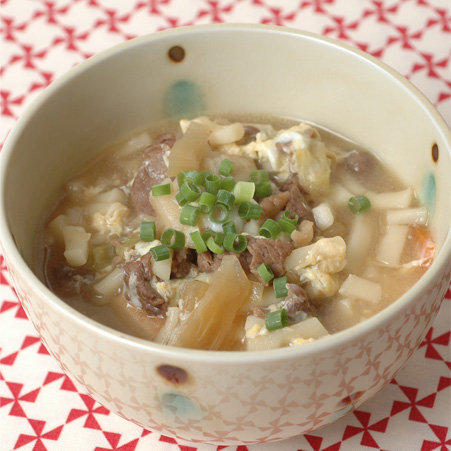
[153, 171]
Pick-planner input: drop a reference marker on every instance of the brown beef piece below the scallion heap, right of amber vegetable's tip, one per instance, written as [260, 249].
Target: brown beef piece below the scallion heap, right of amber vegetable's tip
[271, 252]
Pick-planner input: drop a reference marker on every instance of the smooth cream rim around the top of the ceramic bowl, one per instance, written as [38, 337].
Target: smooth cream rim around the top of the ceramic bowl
[335, 340]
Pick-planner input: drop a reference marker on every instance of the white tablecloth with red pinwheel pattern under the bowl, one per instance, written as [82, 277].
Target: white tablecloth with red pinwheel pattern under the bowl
[40, 409]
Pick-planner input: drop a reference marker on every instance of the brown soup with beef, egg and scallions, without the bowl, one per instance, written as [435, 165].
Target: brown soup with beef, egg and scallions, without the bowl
[311, 265]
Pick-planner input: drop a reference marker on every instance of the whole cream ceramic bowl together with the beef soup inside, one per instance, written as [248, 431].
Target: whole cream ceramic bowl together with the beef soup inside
[229, 234]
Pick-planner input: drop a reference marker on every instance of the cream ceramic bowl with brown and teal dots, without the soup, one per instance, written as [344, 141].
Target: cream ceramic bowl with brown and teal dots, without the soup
[226, 397]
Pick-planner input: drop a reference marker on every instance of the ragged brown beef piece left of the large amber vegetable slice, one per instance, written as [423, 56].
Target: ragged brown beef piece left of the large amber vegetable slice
[137, 277]
